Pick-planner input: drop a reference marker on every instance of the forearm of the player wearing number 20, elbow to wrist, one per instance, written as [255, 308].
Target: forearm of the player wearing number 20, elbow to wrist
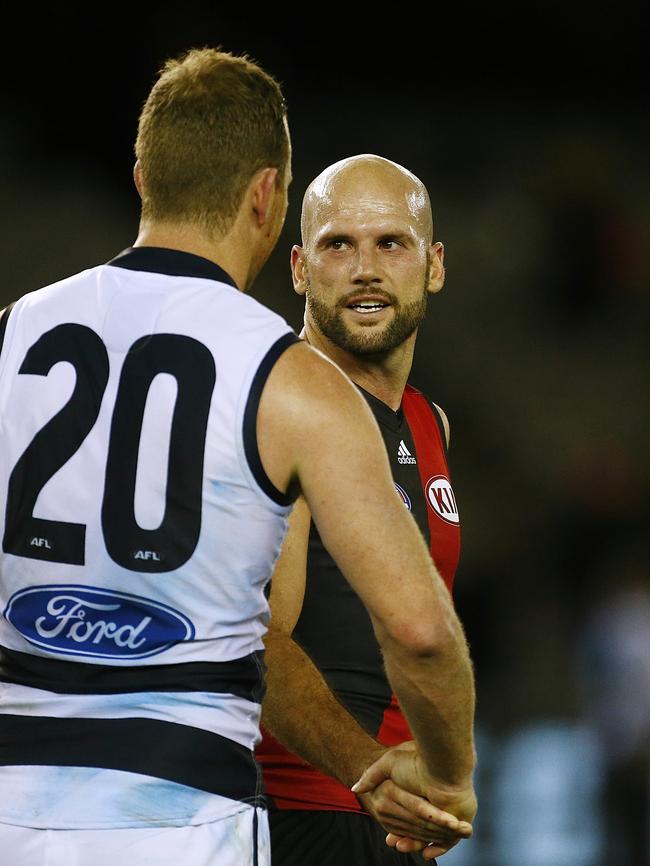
[436, 693]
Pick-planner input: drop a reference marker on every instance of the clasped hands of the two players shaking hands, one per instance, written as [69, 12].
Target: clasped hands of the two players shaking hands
[417, 812]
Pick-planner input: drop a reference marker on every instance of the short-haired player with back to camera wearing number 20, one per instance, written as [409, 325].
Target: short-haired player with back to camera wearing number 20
[155, 429]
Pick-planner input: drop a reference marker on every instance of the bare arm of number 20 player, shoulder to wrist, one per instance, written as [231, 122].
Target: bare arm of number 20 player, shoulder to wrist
[309, 417]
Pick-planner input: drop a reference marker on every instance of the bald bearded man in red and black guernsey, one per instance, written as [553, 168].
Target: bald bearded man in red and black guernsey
[367, 266]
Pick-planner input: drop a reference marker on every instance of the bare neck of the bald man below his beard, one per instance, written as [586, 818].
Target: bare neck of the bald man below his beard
[383, 375]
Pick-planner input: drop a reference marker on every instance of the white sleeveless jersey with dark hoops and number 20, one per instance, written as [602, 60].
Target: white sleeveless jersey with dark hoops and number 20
[138, 533]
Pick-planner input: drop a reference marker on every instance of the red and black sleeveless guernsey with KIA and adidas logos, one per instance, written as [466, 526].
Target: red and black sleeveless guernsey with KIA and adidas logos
[334, 627]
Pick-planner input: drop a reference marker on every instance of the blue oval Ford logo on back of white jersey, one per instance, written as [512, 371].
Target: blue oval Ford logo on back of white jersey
[76, 620]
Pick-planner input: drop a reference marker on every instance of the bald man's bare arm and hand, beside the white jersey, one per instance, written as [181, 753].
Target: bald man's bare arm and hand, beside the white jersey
[301, 711]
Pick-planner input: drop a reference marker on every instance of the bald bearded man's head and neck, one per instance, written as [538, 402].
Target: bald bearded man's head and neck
[367, 235]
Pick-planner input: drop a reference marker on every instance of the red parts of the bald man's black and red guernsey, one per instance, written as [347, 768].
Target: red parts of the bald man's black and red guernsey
[290, 781]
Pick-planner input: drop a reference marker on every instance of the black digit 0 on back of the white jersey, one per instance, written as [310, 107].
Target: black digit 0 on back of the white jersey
[174, 540]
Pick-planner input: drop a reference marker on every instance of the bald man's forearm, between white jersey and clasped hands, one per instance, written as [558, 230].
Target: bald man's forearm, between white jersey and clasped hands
[301, 712]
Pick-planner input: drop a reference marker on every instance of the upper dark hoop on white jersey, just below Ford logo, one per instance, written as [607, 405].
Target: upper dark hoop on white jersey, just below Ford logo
[241, 677]
